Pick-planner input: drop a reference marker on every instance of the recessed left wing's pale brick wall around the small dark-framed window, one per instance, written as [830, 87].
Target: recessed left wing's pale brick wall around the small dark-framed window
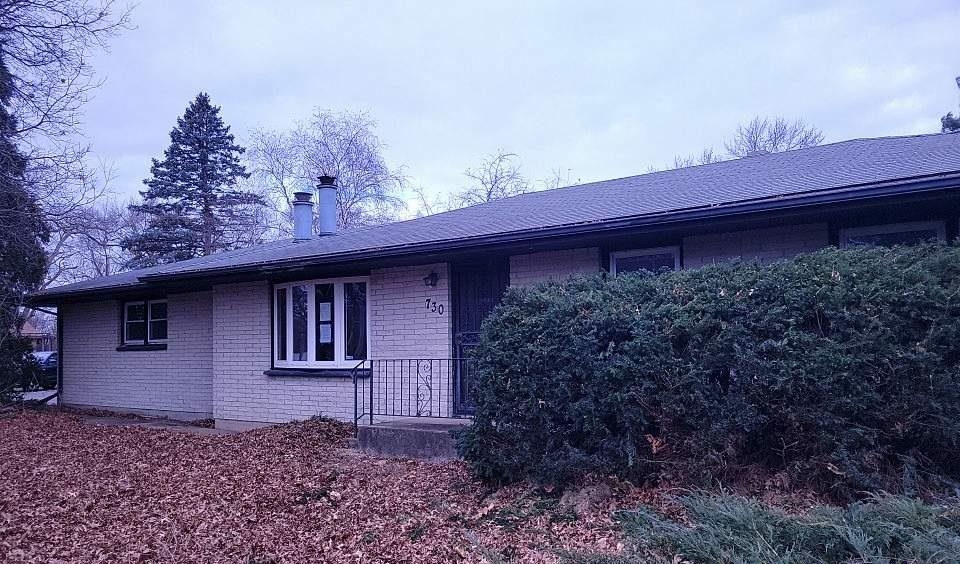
[177, 380]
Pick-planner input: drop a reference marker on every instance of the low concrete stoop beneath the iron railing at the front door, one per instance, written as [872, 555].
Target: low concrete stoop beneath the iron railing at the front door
[428, 440]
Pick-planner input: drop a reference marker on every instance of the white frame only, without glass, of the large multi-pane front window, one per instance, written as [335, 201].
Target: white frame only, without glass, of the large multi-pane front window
[339, 324]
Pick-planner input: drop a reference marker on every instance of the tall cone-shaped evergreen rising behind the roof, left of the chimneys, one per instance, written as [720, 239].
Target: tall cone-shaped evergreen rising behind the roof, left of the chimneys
[193, 203]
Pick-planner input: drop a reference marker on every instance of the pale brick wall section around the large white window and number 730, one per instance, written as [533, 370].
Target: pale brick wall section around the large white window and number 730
[401, 326]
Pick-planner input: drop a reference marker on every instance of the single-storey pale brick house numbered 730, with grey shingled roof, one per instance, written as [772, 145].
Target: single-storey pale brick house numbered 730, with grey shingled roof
[378, 321]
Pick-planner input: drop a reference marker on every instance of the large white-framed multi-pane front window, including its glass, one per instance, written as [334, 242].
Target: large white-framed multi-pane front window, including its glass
[320, 323]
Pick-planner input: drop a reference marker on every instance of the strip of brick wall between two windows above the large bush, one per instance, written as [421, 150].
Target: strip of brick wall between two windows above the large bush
[767, 245]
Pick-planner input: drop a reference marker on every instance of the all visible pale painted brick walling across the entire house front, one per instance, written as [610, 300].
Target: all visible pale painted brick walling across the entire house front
[220, 341]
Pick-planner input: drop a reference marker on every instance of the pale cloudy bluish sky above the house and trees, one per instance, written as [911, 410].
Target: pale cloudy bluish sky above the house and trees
[594, 89]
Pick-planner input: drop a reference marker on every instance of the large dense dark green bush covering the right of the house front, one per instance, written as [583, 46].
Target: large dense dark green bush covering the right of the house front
[837, 368]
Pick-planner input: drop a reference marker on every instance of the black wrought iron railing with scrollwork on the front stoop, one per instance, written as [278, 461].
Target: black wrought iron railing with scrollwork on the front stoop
[412, 387]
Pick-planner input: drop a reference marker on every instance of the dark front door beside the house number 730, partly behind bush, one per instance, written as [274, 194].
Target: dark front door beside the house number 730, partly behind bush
[476, 289]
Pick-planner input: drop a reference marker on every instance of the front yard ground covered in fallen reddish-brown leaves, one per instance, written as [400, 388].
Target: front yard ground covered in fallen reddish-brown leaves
[72, 491]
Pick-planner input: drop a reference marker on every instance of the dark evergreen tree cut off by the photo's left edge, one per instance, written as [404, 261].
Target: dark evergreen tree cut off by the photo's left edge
[22, 234]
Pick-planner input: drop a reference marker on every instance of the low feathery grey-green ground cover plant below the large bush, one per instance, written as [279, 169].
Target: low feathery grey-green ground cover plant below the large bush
[728, 528]
